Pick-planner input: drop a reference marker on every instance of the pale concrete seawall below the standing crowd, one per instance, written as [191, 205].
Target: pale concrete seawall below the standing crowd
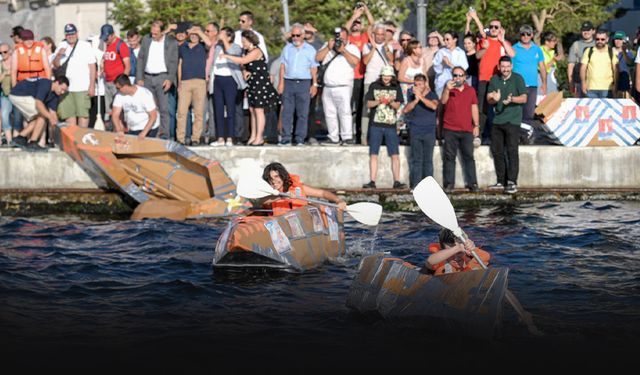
[541, 167]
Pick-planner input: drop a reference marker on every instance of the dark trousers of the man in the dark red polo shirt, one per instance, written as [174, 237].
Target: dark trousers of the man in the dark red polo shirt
[454, 141]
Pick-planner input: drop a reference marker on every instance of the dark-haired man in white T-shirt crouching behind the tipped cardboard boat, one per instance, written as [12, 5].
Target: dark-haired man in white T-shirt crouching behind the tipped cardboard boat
[139, 107]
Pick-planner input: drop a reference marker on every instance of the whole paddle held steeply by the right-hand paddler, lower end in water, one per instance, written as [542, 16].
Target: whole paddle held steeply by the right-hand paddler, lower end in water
[436, 205]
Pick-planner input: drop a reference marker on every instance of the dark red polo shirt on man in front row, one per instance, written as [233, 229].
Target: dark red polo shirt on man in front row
[457, 111]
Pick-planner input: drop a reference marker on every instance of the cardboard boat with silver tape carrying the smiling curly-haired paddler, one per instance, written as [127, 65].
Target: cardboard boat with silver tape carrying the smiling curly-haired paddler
[296, 241]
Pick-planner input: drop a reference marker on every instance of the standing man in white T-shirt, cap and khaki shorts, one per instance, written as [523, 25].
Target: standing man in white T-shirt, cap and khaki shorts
[81, 72]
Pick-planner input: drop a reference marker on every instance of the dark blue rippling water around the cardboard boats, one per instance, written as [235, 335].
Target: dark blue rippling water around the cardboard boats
[76, 292]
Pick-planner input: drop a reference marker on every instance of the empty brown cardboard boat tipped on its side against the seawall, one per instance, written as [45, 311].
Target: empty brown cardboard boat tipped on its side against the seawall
[166, 178]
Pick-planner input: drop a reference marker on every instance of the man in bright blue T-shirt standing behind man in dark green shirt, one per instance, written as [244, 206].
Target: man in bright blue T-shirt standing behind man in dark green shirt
[529, 62]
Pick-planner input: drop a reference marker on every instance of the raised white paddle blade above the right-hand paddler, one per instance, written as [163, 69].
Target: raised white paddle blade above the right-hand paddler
[435, 204]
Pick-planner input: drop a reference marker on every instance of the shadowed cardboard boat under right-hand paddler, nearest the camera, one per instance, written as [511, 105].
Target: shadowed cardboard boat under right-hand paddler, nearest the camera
[465, 302]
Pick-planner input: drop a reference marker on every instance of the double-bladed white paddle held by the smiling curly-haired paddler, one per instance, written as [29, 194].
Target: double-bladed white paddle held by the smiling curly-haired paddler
[254, 188]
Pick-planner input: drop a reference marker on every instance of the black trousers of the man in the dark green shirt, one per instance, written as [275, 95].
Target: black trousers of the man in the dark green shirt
[505, 135]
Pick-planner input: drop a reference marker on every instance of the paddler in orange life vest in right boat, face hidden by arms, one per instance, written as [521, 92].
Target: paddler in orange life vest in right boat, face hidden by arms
[450, 256]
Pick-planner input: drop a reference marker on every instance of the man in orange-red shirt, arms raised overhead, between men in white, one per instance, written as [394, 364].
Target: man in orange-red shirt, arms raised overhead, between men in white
[359, 38]
